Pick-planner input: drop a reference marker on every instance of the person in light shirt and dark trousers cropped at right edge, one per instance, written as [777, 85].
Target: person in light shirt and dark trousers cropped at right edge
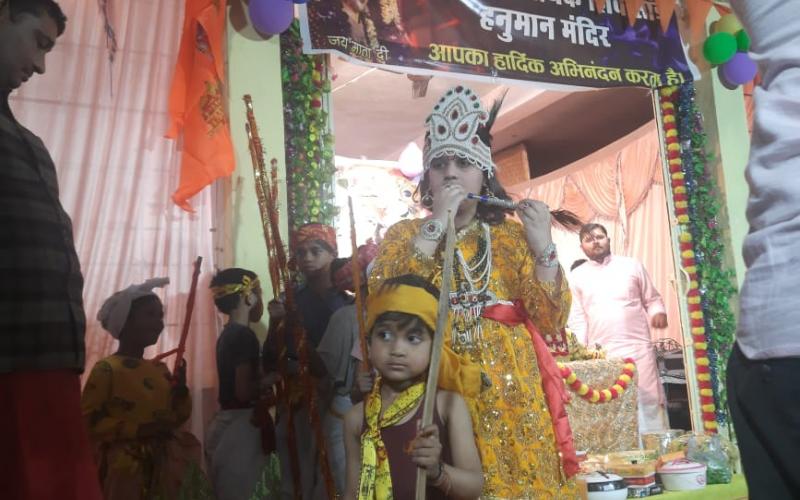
[764, 368]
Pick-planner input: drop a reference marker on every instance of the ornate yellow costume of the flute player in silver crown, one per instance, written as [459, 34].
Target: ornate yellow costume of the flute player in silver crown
[511, 420]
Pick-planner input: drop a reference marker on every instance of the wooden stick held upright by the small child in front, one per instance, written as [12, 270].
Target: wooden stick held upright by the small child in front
[442, 319]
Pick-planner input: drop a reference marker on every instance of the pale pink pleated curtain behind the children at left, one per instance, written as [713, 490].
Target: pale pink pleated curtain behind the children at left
[117, 172]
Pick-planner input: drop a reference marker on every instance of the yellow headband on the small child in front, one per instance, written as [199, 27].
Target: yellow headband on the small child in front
[405, 299]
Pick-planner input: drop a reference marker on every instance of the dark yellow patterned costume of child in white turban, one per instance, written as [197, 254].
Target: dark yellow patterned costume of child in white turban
[133, 414]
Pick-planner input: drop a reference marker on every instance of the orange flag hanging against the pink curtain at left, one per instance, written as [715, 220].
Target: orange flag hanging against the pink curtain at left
[197, 100]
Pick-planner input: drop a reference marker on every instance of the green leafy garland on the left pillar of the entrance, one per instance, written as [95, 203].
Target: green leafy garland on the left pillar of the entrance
[309, 144]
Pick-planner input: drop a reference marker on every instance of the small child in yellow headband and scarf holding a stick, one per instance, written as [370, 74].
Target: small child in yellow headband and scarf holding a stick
[382, 437]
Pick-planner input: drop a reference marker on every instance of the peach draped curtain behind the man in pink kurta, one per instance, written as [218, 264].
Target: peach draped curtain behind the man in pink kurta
[621, 187]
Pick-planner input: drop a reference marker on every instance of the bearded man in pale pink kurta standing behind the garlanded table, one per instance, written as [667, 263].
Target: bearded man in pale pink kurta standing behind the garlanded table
[614, 304]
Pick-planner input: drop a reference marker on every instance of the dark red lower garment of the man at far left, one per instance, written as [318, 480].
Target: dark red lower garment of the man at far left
[45, 447]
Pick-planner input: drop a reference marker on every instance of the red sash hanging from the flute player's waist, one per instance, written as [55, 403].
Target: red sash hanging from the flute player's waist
[554, 391]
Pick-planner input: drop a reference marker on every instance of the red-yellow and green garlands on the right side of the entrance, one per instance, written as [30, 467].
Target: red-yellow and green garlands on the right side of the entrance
[701, 250]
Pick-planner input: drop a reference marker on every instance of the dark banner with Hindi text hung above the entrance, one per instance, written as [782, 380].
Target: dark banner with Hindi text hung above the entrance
[564, 42]
